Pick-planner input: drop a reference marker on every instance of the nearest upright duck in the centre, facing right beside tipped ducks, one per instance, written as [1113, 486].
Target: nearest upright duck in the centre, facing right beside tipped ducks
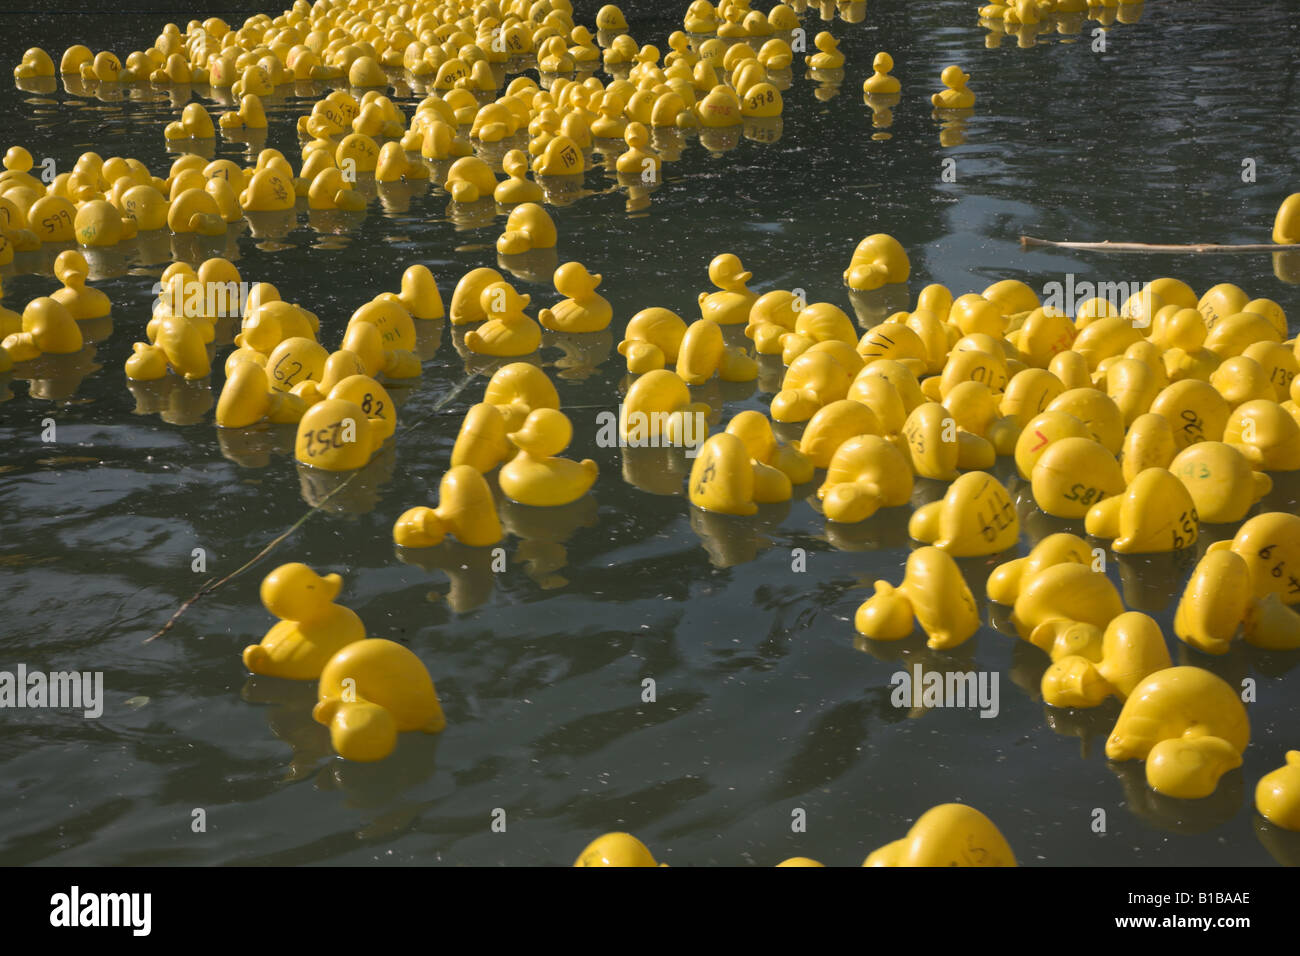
[536, 475]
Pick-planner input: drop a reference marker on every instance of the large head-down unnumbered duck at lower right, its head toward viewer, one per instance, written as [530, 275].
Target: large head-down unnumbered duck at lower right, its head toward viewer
[1188, 725]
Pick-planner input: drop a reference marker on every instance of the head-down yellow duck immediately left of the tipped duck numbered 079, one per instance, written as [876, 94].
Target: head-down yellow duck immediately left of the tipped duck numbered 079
[865, 474]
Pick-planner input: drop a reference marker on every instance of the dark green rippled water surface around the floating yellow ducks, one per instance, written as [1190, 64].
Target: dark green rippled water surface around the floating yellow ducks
[765, 703]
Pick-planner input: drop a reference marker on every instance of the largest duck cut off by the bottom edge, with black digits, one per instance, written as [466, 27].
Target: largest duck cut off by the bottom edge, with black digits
[947, 836]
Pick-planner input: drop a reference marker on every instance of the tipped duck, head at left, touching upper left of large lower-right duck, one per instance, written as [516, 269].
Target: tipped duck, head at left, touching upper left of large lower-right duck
[1133, 648]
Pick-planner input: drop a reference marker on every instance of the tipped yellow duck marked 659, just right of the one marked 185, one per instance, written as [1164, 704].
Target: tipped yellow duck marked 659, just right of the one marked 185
[1155, 514]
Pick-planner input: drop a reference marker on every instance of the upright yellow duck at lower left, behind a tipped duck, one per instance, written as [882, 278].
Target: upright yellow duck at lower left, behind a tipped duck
[311, 629]
